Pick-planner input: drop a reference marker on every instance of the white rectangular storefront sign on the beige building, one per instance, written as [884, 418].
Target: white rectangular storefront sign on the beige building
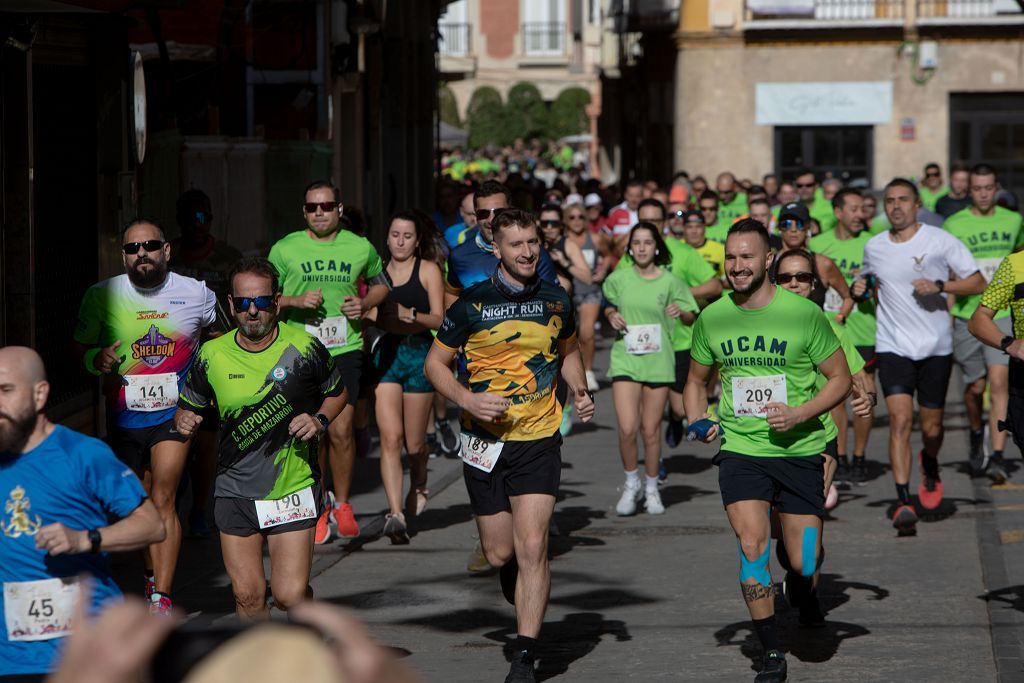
[865, 103]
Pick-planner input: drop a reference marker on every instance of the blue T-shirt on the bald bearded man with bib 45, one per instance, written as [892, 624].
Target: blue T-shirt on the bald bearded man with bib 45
[69, 479]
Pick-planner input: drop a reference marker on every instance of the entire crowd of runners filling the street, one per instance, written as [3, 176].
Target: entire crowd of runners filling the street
[763, 318]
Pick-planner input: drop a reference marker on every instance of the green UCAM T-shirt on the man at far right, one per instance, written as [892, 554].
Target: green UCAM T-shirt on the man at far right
[990, 239]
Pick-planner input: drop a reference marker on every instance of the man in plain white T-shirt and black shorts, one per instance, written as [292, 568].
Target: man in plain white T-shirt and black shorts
[909, 267]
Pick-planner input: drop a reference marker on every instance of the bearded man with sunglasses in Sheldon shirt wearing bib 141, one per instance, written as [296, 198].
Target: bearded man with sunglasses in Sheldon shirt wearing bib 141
[141, 332]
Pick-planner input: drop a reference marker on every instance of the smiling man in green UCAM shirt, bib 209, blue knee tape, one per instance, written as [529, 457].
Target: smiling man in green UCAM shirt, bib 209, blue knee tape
[770, 346]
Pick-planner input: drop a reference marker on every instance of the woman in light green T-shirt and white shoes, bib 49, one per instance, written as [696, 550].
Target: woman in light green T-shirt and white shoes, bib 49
[645, 302]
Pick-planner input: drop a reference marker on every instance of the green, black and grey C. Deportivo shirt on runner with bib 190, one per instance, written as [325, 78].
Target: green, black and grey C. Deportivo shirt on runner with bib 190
[258, 396]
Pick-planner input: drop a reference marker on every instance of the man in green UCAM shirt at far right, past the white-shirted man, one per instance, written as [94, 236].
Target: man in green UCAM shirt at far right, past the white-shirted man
[991, 233]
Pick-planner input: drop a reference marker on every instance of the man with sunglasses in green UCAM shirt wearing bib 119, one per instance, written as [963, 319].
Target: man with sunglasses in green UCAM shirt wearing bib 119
[320, 270]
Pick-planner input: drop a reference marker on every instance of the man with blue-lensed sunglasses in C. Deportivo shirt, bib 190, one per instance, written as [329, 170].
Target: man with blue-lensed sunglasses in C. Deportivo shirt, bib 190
[277, 390]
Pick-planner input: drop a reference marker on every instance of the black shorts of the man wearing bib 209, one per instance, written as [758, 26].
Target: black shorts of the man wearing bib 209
[793, 485]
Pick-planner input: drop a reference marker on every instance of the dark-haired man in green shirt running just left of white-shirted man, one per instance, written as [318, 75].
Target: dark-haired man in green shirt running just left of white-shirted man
[845, 246]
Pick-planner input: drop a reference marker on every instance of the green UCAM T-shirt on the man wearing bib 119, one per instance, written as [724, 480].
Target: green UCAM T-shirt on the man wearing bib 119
[306, 265]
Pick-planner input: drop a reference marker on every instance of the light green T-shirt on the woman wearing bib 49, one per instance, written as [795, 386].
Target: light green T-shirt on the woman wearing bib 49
[643, 302]
